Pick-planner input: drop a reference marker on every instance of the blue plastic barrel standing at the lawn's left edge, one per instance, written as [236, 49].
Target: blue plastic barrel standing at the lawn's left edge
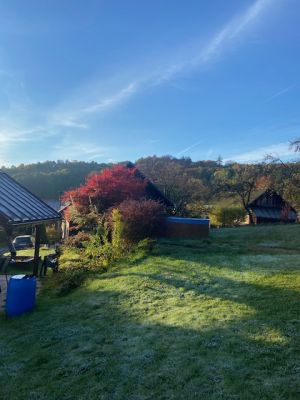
[20, 297]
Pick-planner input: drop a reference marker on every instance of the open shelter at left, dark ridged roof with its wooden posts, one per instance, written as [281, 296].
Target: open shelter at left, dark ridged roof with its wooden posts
[20, 207]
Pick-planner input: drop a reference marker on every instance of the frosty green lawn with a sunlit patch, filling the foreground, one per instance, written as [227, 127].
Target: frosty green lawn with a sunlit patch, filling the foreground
[195, 320]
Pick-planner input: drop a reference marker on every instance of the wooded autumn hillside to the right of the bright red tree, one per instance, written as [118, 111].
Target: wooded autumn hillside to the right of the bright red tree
[192, 185]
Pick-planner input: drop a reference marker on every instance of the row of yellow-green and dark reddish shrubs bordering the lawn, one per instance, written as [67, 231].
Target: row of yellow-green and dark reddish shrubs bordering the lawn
[123, 233]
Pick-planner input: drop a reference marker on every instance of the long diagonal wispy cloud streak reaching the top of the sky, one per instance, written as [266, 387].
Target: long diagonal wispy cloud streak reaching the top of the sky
[199, 55]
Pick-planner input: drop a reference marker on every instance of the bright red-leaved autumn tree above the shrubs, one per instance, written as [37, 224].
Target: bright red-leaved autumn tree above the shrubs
[108, 188]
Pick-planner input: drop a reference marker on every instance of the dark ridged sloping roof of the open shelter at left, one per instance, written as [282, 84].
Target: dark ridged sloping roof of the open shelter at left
[19, 206]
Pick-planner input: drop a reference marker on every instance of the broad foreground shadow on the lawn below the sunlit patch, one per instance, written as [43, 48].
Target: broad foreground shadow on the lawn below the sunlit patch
[100, 347]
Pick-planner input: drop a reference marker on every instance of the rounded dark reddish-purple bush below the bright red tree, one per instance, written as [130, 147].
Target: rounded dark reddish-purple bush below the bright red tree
[141, 219]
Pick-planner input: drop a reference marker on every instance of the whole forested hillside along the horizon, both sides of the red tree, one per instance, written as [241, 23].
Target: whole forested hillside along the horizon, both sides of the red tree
[192, 185]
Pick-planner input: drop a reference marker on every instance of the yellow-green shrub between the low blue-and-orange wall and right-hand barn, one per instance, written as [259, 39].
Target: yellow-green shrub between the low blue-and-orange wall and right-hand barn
[227, 216]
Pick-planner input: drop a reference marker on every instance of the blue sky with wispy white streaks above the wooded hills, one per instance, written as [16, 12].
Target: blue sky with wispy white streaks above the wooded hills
[113, 80]
